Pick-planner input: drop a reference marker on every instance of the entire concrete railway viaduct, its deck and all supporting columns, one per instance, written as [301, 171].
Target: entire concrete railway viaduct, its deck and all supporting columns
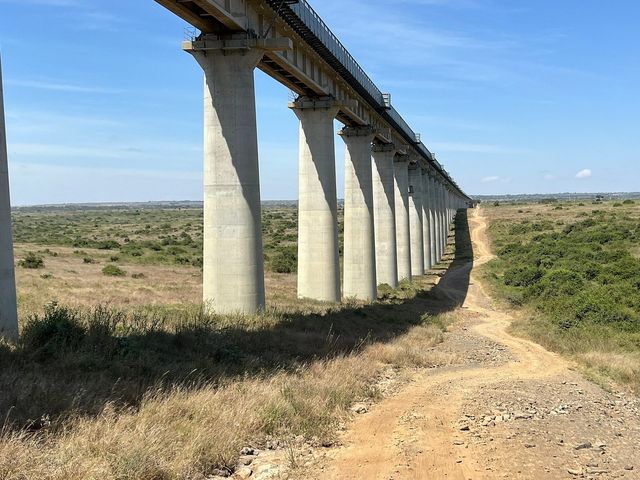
[399, 201]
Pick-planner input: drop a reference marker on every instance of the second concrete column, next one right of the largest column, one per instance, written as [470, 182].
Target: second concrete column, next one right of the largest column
[318, 258]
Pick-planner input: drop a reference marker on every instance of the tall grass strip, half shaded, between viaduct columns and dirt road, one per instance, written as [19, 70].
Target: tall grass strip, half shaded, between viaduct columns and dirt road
[152, 395]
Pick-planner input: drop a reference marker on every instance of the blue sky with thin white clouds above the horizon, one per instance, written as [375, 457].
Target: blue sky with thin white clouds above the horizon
[514, 96]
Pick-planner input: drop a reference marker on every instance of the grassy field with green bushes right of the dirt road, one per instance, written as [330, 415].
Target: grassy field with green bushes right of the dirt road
[574, 271]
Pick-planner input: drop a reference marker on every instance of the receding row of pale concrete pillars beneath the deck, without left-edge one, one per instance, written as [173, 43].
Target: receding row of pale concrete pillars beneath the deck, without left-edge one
[396, 213]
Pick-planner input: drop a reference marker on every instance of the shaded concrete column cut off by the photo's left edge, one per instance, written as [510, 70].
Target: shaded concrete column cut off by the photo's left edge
[8, 305]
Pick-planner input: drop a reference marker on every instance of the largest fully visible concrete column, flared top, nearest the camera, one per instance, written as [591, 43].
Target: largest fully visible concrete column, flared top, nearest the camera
[233, 274]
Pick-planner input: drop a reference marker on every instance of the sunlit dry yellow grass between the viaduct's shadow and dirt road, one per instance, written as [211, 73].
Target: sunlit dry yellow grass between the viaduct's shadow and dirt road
[189, 431]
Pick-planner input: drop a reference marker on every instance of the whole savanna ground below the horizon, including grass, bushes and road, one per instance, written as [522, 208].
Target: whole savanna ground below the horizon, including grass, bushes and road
[120, 373]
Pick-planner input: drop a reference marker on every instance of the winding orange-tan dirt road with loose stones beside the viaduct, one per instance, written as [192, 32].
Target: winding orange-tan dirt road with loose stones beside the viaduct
[509, 409]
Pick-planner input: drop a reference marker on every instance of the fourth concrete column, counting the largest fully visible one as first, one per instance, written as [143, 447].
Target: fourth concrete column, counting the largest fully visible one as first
[384, 215]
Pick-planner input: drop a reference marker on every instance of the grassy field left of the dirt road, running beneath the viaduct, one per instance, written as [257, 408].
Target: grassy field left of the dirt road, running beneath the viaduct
[122, 376]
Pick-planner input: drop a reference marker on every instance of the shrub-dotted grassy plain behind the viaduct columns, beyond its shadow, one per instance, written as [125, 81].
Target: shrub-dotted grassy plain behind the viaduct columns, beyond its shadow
[157, 252]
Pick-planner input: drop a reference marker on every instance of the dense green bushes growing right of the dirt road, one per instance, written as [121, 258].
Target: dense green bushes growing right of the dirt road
[583, 274]
